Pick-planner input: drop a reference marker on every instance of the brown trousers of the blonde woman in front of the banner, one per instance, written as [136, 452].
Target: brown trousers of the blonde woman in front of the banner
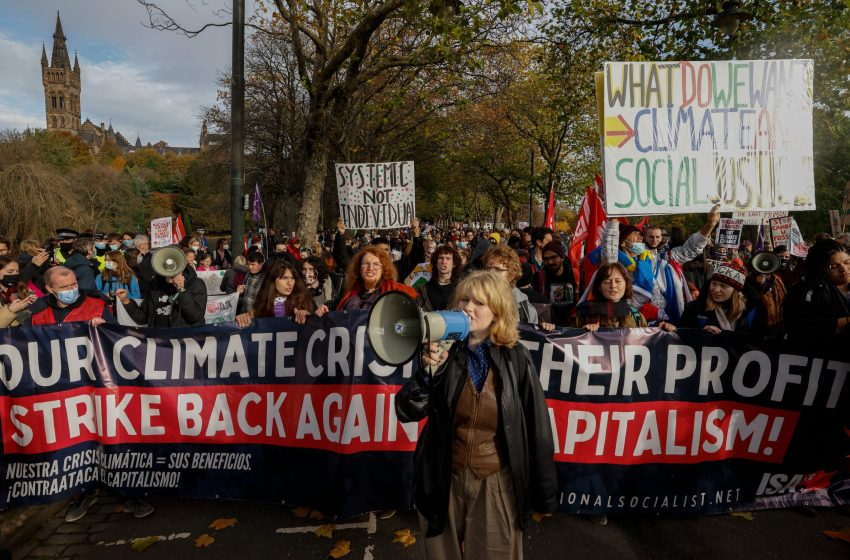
[482, 521]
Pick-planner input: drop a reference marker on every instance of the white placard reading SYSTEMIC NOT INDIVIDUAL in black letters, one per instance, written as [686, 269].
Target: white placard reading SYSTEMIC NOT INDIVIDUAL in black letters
[376, 195]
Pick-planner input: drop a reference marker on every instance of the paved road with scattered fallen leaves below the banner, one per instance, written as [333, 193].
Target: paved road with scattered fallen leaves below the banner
[265, 531]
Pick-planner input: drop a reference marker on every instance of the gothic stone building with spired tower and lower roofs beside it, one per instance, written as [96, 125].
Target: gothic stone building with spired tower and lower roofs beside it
[62, 102]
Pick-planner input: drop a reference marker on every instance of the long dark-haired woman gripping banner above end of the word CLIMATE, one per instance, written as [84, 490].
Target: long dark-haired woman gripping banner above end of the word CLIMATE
[282, 294]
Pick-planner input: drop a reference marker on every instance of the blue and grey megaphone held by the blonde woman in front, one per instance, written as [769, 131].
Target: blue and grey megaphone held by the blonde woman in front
[397, 327]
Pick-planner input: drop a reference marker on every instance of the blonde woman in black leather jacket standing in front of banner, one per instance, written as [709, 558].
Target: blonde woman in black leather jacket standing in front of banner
[484, 461]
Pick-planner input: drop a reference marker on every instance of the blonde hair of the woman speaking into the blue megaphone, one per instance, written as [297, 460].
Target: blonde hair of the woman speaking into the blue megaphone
[490, 289]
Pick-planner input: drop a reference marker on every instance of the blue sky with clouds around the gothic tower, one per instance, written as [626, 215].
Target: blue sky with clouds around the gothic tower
[153, 83]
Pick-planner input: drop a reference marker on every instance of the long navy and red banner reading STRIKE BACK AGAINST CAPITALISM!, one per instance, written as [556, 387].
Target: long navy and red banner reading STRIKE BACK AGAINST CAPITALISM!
[643, 421]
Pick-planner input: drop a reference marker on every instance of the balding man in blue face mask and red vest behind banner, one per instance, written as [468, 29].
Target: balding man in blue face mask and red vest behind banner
[66, 302]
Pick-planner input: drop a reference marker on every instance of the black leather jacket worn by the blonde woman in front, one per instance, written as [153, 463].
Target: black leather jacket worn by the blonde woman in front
[524, 421]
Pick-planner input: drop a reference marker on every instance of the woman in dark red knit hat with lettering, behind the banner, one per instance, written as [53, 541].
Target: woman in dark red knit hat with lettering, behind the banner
[724, 306]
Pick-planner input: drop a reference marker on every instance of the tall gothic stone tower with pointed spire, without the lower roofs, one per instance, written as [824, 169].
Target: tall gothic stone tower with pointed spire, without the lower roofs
[61, 85]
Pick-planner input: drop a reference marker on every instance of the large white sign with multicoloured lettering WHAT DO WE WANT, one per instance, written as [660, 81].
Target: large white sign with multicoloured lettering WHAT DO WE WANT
[680, 137]
